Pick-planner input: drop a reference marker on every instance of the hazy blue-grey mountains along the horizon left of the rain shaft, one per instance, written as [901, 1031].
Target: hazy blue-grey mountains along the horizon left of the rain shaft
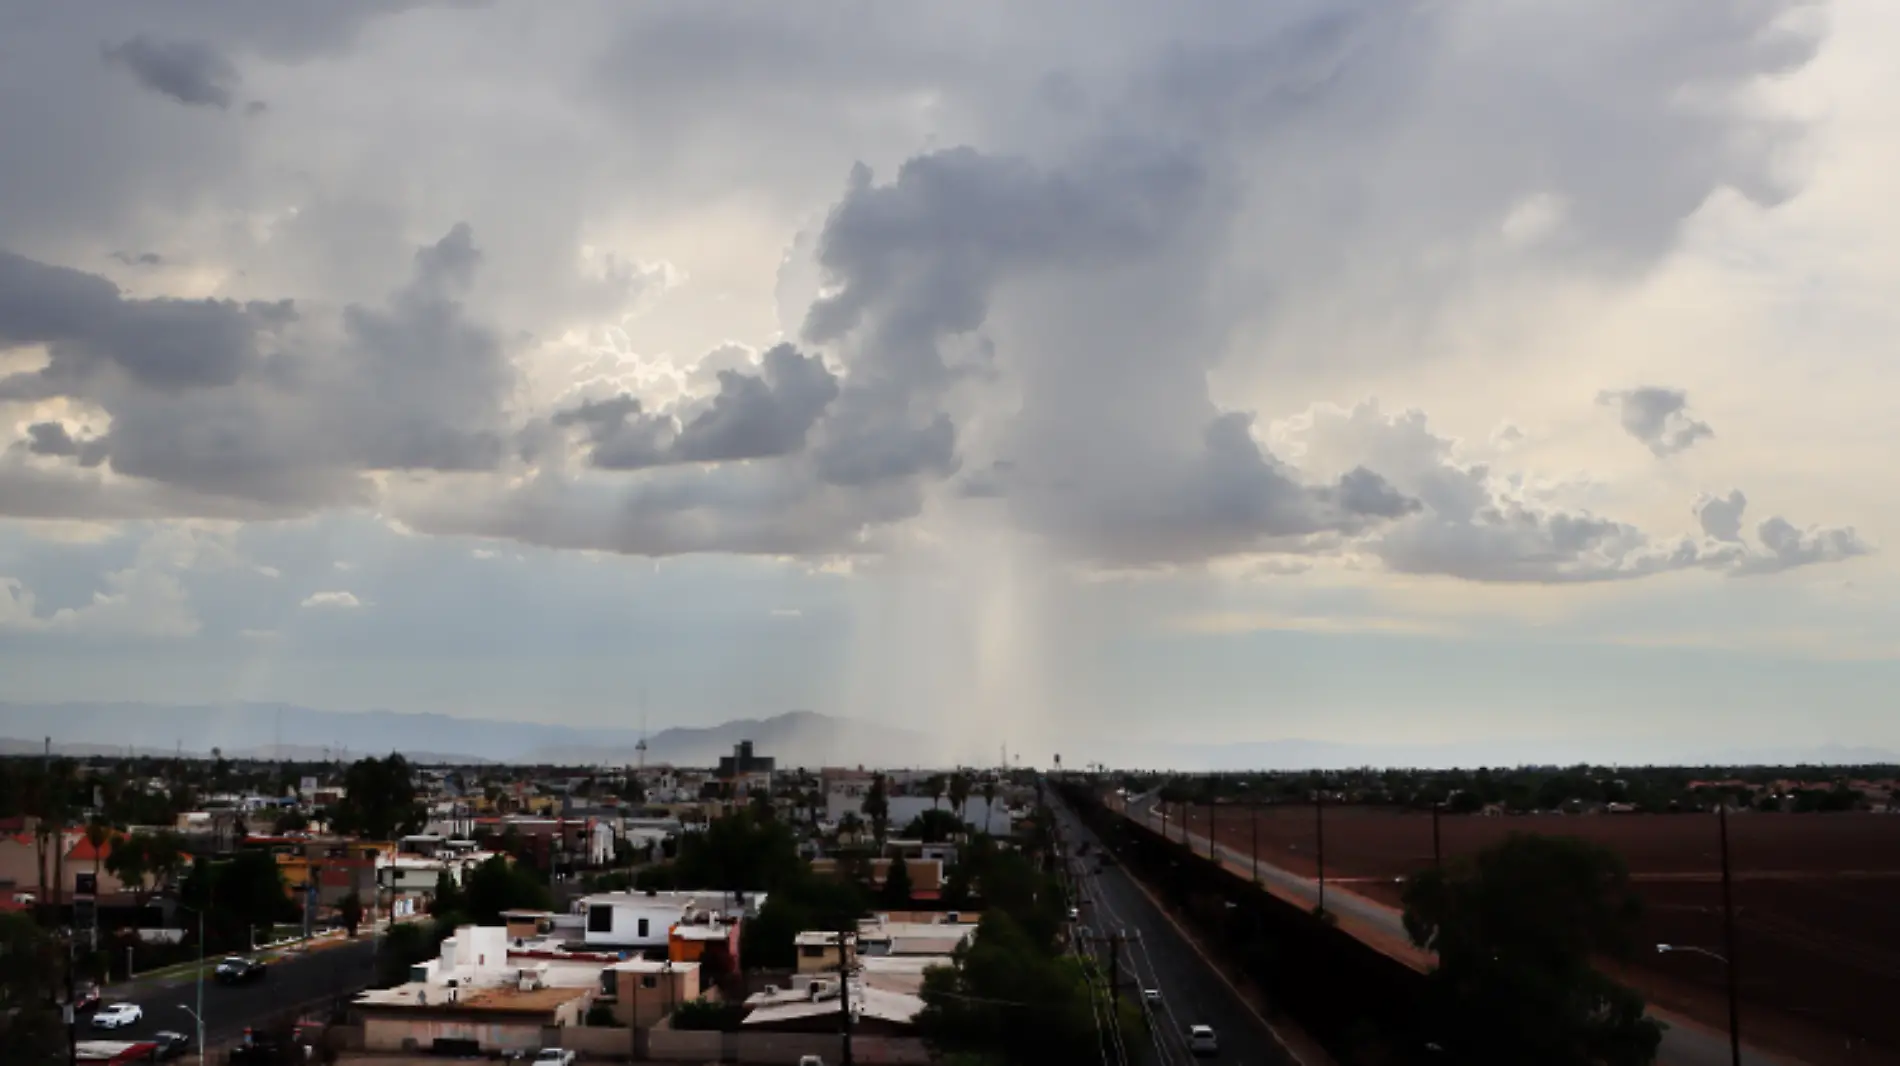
[256, 731]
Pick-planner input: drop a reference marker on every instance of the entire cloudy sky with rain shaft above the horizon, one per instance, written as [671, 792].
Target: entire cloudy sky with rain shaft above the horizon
[1348, 371]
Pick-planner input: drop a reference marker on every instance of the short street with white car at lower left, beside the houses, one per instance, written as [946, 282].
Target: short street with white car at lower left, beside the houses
[290, 983]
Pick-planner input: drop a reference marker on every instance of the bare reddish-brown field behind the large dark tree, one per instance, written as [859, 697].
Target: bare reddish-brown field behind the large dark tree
[1817, 902]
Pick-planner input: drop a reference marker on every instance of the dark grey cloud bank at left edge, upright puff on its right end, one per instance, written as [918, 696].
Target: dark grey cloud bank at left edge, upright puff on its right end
[256, 402]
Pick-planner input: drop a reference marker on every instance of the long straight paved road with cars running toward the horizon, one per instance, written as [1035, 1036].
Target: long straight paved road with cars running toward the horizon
[1156, 955]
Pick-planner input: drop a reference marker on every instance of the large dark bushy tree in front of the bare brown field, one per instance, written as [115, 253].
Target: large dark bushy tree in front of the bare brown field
[1517, 928]
